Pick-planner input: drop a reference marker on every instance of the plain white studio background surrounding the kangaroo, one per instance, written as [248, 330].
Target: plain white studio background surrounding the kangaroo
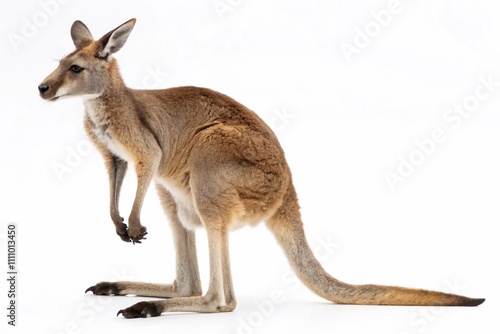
[345, 121]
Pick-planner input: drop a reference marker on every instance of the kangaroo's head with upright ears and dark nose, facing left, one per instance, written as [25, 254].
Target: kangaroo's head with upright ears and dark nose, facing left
[88, 70]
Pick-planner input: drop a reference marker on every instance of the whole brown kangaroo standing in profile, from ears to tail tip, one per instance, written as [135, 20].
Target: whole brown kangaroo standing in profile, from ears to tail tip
[216, 165]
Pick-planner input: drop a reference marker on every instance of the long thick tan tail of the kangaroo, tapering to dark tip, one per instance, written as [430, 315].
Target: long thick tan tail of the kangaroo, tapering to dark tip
[288, 230]
